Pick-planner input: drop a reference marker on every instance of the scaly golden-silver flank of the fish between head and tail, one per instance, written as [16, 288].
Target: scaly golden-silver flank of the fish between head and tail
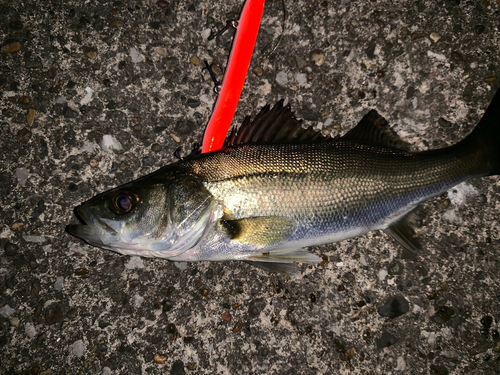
[342, 188]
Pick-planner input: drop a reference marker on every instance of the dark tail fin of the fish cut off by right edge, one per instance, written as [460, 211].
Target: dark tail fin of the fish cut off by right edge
[486, 136]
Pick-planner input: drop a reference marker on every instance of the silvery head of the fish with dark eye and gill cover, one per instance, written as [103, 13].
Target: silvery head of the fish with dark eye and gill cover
[148, 217]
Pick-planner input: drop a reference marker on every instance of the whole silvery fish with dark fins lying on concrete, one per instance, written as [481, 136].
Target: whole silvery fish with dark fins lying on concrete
[277, 188]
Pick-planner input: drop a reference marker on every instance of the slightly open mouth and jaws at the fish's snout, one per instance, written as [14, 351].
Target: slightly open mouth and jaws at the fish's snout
[92, 230]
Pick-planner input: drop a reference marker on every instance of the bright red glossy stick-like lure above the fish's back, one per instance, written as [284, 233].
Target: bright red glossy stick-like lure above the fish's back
[234, 78]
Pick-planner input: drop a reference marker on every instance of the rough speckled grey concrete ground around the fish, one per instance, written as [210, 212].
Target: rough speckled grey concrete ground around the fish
[72, 72]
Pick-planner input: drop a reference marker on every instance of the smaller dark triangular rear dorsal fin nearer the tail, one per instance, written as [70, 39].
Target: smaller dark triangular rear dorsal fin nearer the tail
[374, 130]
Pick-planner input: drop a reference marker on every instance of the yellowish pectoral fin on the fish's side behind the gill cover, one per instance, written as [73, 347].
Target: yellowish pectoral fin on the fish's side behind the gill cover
[262, 230]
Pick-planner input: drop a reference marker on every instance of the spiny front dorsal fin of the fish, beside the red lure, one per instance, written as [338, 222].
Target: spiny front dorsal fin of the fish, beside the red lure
[276, 125]
